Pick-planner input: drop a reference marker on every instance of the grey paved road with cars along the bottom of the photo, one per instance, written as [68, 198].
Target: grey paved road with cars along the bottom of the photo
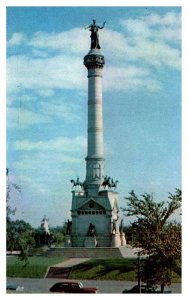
[105, 287]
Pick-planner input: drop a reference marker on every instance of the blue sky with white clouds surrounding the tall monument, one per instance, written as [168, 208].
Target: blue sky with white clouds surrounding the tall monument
[47, 102]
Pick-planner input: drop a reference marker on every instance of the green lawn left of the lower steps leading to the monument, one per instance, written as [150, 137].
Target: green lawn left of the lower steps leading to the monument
[36, 268]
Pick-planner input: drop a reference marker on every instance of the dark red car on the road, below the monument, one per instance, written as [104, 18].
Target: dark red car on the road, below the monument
[72, 287]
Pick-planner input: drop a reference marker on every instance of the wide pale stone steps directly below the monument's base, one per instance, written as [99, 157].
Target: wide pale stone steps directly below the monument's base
[80, 252]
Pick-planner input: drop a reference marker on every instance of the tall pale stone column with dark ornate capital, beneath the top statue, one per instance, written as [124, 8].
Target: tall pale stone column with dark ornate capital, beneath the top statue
[94, 62]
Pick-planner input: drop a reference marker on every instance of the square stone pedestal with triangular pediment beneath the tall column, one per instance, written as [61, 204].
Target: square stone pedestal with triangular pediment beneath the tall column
[100, 210]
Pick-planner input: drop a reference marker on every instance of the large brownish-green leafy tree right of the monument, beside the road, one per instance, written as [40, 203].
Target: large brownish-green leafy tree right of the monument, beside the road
[160, 240]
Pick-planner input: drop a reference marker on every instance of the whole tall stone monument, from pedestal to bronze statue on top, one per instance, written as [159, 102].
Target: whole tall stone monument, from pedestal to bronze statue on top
[95, 210]
